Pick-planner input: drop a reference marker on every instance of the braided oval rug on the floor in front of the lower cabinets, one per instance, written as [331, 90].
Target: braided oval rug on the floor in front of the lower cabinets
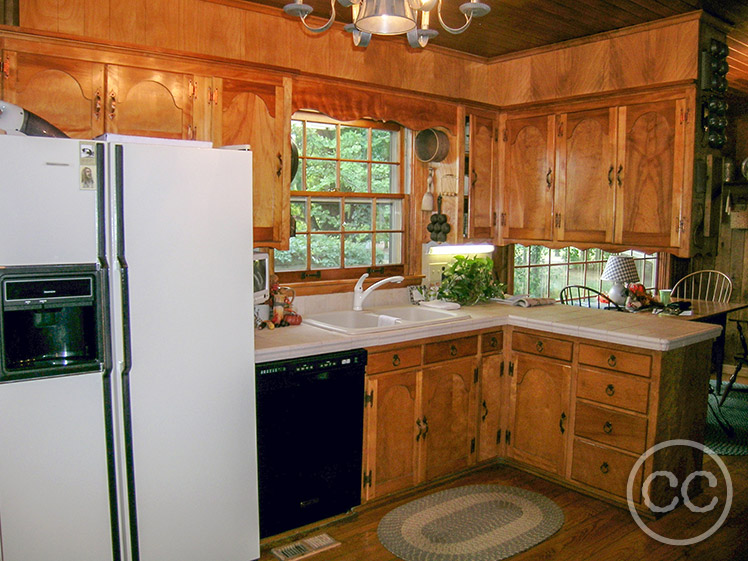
[471, 523]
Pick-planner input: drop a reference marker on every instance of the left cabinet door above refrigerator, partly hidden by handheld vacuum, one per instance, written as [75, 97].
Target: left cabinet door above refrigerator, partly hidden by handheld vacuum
[66, 93]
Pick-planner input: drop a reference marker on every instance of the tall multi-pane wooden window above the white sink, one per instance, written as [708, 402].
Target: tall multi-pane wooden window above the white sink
[346, 200]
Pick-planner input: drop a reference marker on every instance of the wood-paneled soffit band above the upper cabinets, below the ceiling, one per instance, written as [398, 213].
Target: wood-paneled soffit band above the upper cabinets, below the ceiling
[656, 53]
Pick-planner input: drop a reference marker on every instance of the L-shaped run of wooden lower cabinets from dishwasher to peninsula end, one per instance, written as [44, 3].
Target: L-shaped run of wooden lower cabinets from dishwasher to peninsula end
[572, 408]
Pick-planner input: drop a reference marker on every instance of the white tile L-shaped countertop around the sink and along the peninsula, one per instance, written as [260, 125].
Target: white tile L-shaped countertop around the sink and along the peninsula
[642, 330]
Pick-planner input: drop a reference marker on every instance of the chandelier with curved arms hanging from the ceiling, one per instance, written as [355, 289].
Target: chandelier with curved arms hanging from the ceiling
[390, 17]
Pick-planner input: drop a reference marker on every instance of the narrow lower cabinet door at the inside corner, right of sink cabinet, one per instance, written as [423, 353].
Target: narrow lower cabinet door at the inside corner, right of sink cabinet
[490, 407]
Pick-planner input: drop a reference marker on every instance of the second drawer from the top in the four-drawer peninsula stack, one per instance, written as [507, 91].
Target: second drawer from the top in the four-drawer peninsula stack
[614, 389]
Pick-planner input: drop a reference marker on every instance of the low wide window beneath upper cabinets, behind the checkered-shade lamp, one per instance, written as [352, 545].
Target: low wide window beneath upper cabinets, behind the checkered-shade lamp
[543, 272]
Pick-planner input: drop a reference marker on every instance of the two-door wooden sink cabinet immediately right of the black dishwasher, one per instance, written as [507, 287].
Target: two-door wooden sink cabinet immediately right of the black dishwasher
[419, 422]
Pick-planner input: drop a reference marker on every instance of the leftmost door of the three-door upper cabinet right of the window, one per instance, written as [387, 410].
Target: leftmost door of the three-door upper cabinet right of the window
[527, 210]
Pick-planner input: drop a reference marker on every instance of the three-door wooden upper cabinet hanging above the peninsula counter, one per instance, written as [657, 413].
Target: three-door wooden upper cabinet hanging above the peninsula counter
[610, 173]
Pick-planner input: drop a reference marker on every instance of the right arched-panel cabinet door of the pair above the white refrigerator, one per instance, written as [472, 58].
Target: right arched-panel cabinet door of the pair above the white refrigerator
[146, 102]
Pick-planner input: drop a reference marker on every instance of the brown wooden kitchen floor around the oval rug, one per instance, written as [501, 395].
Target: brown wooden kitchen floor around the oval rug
[592, 529]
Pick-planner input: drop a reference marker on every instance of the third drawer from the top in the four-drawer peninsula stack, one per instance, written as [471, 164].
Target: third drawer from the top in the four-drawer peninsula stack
[608, 426]
